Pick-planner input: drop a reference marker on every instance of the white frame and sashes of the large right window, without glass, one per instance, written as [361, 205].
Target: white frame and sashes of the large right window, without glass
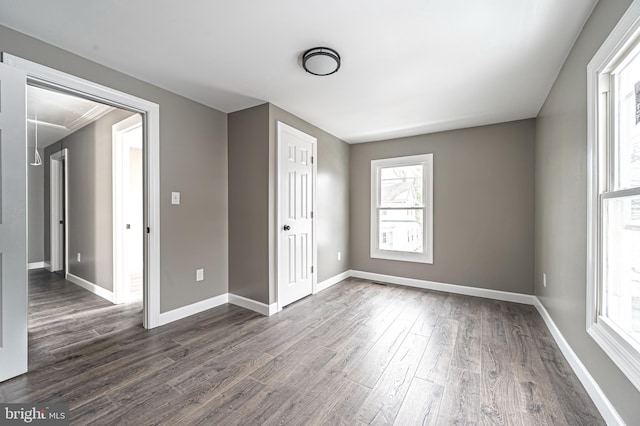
[622, 43]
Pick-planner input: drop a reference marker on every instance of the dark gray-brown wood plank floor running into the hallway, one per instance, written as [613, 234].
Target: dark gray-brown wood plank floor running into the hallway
[356, 353]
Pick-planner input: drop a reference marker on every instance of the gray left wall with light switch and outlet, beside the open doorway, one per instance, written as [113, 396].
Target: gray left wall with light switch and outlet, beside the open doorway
[193, 159]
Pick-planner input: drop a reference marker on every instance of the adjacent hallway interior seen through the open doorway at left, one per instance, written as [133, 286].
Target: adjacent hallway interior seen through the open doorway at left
[85, 213]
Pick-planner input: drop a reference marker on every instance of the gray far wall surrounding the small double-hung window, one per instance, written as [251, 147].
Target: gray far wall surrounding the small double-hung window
[483, 206]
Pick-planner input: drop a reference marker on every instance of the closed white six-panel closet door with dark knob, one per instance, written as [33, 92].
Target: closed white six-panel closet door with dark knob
[296, 248]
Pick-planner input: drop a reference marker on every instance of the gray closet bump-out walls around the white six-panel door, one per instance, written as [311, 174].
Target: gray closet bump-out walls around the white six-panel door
[252, 180]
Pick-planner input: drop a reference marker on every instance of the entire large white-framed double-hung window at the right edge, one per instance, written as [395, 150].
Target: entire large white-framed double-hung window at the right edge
[613, 275]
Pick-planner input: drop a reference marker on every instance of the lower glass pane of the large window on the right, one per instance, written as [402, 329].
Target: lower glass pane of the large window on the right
[621, 263]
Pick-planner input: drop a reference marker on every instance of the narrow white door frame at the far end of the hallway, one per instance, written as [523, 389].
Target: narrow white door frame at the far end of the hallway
[57, 194]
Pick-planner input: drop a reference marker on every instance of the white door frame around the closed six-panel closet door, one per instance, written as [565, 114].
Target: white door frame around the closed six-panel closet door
[280, 128]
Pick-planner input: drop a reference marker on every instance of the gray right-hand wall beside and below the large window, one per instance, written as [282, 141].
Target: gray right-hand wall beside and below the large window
[561, 208]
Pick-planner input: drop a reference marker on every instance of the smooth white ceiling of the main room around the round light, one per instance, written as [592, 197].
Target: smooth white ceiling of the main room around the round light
[408, 66]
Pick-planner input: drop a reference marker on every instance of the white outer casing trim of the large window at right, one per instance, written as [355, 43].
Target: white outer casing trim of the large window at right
[624, 352]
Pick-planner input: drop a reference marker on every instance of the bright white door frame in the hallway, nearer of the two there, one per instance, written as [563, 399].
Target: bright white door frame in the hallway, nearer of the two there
[120, 156]
